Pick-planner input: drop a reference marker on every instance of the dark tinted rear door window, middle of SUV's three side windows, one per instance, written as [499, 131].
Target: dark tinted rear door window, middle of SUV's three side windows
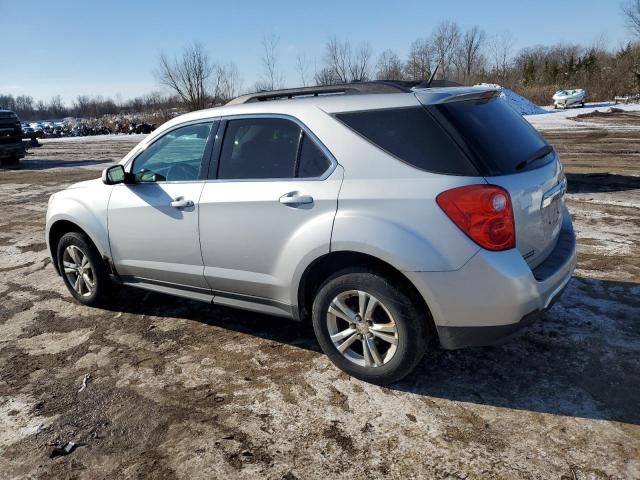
[261, 148]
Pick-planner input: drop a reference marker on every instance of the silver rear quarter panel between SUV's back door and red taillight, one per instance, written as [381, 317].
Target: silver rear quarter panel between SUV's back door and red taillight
[387, 208]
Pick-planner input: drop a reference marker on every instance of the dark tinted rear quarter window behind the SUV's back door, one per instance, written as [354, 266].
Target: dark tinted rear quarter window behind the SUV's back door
[413, 136]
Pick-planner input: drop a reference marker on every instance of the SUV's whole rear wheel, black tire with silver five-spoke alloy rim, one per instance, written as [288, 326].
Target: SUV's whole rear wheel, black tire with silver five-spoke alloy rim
[369, 328]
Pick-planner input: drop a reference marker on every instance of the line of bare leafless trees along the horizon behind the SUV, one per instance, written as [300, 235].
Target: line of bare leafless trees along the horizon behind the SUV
[466, 56]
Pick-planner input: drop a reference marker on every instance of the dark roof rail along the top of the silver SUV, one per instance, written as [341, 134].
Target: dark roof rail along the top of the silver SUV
[377, 86]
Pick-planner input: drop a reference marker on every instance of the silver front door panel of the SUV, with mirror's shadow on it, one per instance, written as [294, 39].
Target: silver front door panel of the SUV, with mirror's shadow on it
[151, 239]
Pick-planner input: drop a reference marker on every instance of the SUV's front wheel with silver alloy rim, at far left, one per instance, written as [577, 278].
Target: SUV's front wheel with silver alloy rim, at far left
[82, 269]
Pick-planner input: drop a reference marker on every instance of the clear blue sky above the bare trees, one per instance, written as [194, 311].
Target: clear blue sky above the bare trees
[111, 47]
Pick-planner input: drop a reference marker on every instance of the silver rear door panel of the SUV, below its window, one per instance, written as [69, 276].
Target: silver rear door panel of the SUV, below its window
[254, 234]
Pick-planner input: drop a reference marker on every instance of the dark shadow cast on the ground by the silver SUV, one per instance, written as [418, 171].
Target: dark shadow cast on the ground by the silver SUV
[568, 363]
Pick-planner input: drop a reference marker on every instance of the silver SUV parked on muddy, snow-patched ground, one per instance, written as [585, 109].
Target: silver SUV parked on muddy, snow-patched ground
[391, 221]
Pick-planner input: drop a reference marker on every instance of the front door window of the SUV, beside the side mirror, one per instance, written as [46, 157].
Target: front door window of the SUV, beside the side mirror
[176, 156]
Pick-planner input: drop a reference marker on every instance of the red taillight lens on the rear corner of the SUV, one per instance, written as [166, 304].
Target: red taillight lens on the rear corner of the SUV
[483, 212]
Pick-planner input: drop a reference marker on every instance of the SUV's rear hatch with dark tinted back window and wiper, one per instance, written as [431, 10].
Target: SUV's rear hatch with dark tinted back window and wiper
[507, 151]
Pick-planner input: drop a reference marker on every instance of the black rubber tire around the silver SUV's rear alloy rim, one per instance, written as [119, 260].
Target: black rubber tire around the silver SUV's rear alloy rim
[411, 326]
